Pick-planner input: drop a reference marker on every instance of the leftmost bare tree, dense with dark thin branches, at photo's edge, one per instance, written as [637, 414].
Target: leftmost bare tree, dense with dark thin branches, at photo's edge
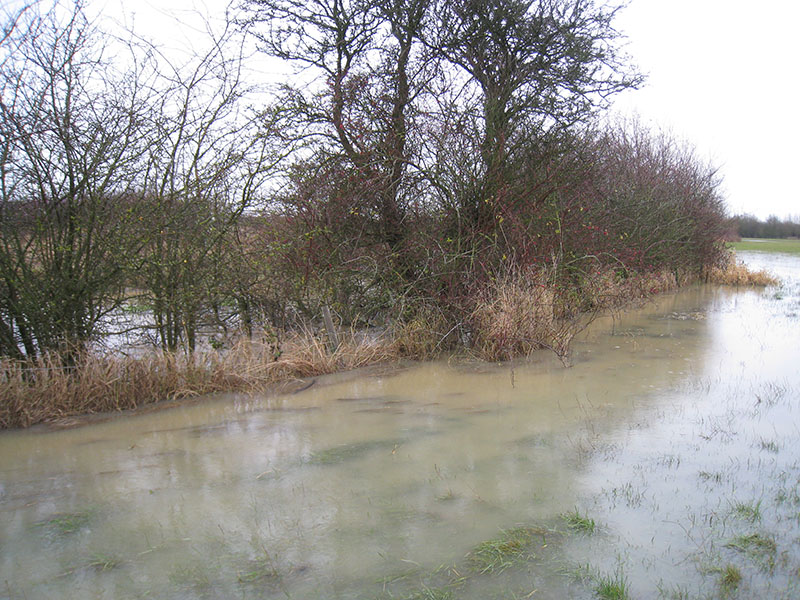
[71, 147]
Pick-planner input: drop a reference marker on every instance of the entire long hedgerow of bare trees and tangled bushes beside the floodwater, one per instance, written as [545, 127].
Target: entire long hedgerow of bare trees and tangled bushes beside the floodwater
[442, 171]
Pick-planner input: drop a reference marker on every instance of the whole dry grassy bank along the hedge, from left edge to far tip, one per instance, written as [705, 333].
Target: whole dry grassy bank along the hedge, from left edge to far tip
[512, 317]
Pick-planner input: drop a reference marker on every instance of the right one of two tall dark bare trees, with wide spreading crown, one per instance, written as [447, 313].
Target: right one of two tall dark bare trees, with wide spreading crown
[540, 66]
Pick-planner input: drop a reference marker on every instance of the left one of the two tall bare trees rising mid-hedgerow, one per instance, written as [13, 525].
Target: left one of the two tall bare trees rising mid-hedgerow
[365, 65]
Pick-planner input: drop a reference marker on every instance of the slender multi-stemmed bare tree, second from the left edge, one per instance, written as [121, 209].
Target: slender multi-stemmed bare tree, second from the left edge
[208, 158]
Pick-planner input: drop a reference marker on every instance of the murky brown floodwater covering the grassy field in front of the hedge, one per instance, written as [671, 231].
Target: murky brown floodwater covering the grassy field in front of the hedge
[664, 463]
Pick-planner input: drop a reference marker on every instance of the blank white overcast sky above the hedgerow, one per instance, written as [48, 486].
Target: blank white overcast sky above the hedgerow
[722, 75]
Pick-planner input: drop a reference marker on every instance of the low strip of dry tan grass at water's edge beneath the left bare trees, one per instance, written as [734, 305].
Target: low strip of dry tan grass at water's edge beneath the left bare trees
[42, 390]
